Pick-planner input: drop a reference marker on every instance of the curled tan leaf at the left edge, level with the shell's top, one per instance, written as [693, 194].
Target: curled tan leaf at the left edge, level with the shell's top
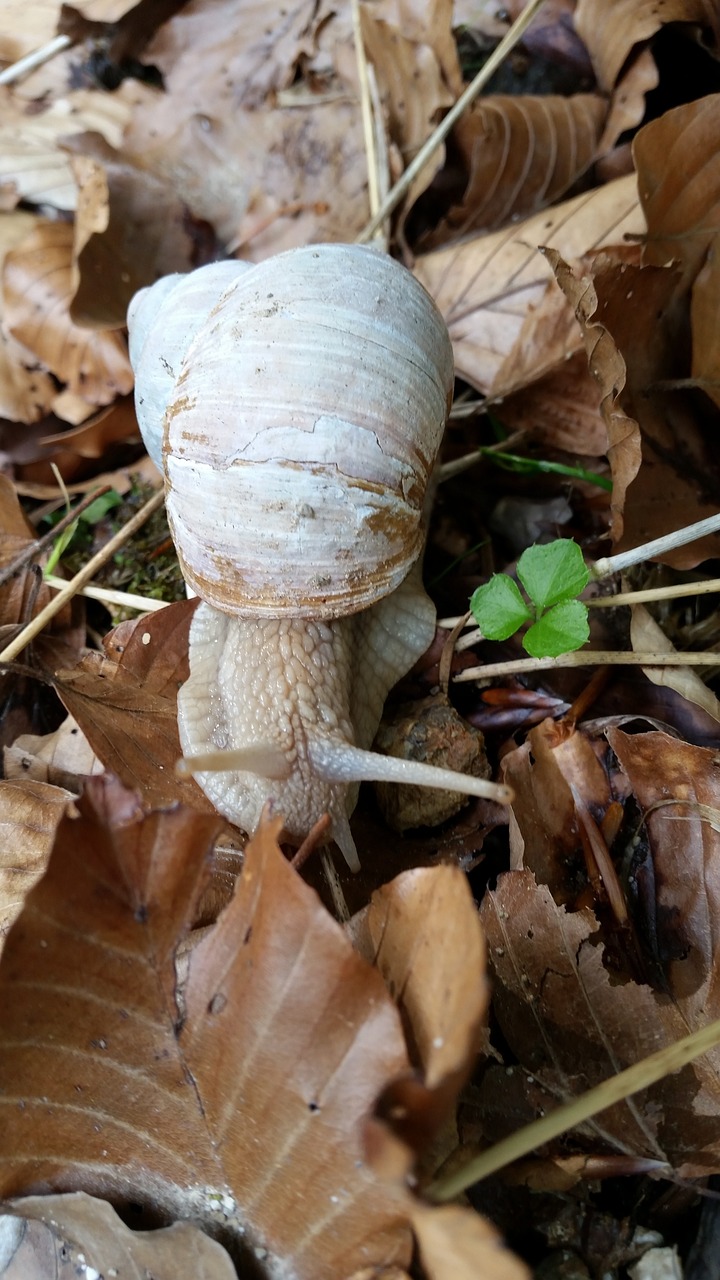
[39, 290]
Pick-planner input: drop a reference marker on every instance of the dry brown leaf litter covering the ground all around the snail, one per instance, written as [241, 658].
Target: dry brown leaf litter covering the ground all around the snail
[315, 1085]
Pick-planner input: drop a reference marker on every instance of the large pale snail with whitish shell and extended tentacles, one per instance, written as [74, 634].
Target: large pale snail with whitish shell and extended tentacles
[297, 409]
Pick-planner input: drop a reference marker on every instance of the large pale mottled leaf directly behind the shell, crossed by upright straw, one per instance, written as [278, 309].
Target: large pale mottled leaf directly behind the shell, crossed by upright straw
[259, 130]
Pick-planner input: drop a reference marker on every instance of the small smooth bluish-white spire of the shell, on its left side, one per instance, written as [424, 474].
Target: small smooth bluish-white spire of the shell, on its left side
[162, 322]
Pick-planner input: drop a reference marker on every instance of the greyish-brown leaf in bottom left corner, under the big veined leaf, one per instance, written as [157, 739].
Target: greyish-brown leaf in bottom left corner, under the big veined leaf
[79, 1236]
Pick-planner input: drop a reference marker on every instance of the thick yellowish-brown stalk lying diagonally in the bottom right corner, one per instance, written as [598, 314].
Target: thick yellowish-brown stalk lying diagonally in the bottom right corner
[641, 1076]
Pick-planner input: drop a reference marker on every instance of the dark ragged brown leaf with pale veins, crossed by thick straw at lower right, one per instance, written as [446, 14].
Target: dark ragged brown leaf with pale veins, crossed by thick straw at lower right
[563, 1017]
